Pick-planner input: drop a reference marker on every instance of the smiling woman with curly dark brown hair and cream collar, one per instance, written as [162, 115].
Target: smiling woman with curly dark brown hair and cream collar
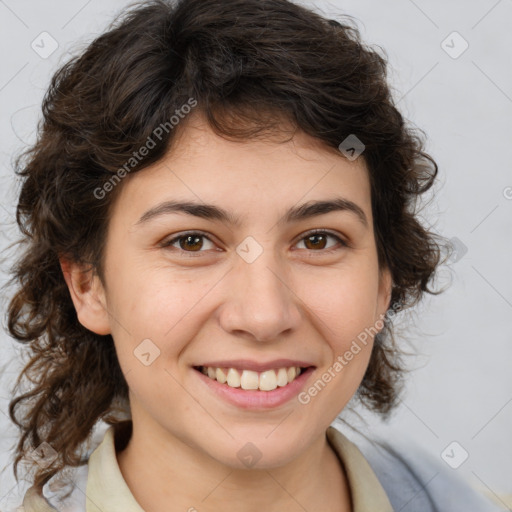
[220, 227]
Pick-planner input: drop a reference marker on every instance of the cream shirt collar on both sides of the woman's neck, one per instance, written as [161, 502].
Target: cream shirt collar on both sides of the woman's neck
[107, 491]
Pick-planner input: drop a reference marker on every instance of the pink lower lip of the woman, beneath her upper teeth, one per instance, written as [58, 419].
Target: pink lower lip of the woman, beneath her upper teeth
[256, 399]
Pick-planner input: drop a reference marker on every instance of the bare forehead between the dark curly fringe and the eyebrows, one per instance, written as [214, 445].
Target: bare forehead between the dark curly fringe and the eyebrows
[254, 178]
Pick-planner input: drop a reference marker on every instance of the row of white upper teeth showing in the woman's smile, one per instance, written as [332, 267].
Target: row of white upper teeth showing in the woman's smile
[248, 379]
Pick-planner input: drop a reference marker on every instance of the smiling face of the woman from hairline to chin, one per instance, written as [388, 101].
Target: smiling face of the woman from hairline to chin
[250, 287]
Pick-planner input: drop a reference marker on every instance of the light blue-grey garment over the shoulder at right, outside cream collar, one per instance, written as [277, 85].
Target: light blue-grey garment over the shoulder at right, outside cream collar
[415, 481]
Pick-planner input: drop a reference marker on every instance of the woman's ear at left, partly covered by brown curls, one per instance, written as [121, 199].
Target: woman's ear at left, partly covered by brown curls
[88, 296]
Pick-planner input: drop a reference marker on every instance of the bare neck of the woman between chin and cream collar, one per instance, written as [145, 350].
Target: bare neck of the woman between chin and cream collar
[172, 476]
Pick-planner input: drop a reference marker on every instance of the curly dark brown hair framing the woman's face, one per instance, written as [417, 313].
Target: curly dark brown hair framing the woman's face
[251, 64]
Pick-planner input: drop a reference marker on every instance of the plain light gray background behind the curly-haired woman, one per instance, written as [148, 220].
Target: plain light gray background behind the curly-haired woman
[461, 386]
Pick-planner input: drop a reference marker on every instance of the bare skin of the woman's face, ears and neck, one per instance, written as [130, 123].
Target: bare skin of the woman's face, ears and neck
[296, 300]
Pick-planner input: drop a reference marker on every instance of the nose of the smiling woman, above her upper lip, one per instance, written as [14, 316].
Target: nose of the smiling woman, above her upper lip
[260, 302]
